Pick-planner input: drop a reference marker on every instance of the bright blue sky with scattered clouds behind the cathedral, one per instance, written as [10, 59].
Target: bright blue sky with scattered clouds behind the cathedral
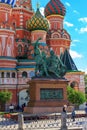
[75, 22]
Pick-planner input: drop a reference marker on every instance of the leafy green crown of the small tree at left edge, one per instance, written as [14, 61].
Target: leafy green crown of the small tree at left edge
[5, 96]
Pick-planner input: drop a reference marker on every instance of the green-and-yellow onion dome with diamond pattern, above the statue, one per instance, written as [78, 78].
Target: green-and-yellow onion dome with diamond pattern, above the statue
[38, 22]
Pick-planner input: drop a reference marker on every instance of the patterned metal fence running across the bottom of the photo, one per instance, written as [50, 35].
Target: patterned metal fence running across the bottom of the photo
[42, 122]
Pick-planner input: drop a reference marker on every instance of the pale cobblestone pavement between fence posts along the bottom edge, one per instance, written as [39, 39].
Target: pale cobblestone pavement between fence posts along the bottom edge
[48, 124]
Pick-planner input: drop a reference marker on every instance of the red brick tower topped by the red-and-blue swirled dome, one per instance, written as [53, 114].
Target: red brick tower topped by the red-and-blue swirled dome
[57, 37]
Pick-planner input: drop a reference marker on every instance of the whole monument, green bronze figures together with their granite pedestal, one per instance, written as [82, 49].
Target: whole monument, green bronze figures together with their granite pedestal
[48, 88]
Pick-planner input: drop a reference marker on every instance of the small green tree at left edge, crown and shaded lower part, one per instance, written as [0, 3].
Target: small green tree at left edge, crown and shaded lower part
[5, 96]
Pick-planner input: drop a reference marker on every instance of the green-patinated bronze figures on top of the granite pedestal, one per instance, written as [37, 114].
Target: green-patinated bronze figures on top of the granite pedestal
[51, 67]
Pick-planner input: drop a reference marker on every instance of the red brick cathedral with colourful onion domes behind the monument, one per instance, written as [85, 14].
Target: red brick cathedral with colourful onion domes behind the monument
[20, 27]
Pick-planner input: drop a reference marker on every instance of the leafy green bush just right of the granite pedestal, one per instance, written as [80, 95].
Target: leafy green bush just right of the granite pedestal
[75, 97]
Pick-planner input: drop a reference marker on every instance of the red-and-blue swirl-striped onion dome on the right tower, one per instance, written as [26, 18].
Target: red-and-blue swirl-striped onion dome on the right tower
[55, 7]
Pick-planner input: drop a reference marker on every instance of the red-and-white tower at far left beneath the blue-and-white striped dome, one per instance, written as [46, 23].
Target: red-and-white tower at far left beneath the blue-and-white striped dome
[7, 34]
